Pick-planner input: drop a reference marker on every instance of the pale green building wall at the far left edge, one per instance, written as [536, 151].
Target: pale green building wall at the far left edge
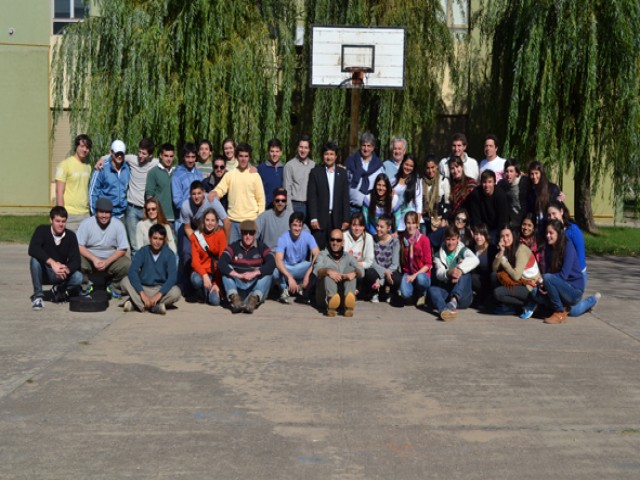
[24, 105]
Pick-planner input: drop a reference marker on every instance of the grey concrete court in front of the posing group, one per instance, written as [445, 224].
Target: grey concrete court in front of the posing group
[288, 394]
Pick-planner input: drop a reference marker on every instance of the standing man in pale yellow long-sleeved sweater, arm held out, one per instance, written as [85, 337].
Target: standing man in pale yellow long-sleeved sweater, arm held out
[244, 191]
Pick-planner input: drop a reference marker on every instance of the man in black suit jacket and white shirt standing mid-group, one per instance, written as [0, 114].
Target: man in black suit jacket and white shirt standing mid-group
[328, 196]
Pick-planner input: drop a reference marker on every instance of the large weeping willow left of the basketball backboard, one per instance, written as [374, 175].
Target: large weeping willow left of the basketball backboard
[178, 71]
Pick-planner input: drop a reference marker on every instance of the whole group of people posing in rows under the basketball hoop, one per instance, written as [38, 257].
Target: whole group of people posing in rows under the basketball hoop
[217, 230]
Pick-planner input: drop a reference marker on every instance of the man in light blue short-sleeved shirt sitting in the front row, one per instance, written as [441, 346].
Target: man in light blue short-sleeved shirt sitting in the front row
[294, 249]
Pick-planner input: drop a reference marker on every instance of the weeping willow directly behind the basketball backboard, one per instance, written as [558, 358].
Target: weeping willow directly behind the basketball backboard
[429, 51]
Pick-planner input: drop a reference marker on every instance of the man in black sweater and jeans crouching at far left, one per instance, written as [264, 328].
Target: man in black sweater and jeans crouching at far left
[55, 260]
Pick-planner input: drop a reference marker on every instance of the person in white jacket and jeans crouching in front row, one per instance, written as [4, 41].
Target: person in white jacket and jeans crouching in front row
[452, 284]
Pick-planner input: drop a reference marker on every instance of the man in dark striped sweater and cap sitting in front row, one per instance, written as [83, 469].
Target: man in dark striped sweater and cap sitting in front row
[246, 267]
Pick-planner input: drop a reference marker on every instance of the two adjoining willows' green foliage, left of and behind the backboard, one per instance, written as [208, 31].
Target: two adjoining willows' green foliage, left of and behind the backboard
[181, 70]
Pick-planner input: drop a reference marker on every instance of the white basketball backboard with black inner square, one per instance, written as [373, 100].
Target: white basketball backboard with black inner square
[379, 50]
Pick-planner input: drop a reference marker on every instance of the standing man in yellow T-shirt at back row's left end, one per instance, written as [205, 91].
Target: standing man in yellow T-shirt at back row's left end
[72, 182]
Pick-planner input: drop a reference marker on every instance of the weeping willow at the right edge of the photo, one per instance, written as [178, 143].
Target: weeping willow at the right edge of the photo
[566, 76]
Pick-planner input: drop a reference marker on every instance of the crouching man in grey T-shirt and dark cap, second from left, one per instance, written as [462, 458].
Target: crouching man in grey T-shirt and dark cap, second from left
[103, 246]
